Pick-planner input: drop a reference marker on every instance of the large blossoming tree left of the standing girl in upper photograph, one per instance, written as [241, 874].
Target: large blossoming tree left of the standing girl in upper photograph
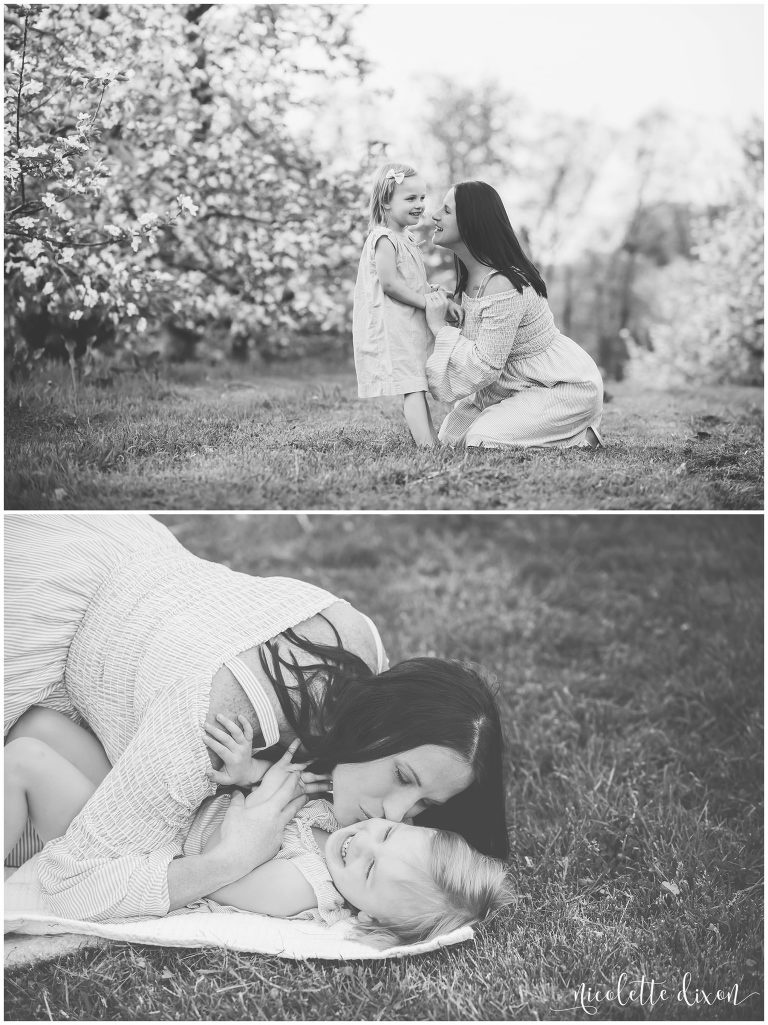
[153, 173]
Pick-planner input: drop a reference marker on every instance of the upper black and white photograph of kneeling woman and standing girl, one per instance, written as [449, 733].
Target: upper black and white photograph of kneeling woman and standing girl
[443, 257]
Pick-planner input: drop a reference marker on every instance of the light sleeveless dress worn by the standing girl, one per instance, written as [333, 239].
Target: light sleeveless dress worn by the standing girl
[391, 340]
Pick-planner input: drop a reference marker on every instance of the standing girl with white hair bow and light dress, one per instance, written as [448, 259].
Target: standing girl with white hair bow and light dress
[390, 334]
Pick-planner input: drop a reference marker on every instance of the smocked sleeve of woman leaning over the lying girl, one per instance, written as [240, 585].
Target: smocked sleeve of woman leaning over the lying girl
[112, 864]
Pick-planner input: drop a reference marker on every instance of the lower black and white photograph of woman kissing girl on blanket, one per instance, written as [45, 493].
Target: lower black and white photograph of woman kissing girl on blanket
[530, 785]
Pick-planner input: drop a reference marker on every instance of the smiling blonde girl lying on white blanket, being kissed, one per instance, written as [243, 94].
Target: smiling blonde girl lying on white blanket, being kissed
[407, 883]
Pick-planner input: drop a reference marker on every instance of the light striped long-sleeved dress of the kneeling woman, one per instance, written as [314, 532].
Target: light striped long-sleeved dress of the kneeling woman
[517, 380]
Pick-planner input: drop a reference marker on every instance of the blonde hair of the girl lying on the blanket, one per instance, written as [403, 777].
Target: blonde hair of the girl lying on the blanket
[461, 887]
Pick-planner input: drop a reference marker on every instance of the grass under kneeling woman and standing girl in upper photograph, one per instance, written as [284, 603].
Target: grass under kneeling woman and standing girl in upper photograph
[297, 438]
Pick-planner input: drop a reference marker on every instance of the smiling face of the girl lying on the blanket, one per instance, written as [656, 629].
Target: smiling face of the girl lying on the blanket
[371, 862]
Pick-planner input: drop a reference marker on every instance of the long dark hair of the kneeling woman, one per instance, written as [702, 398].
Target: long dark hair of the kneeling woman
[486, 230]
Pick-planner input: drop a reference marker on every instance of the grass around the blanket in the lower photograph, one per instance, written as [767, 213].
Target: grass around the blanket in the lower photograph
[629, 658]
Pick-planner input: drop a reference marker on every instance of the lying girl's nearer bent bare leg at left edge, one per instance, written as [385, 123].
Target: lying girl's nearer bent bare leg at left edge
[43, 787]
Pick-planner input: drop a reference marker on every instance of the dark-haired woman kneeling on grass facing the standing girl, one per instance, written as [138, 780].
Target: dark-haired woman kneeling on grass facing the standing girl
[518, 381]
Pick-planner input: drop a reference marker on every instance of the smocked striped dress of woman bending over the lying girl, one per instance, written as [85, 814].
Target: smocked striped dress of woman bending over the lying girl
[110, 618]
